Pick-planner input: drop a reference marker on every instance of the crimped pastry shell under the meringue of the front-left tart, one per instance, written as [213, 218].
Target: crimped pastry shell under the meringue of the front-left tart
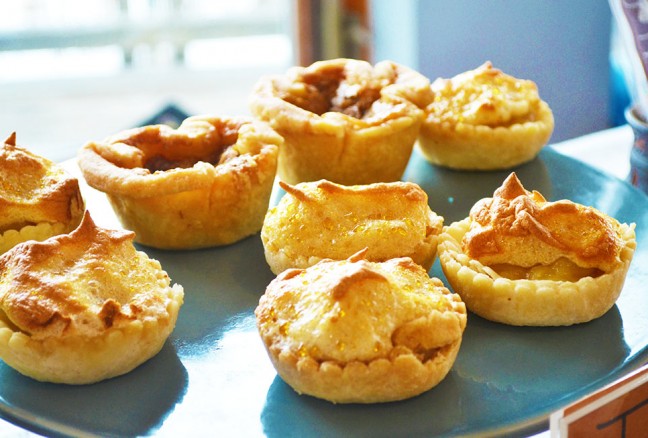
[78, 360]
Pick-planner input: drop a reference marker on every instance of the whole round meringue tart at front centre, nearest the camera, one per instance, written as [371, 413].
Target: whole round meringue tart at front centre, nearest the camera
[354, 331]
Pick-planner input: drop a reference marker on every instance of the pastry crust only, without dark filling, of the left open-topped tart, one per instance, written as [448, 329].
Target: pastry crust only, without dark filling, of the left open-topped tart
[200, 206]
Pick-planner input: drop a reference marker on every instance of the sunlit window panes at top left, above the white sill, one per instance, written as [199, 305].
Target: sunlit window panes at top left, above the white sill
[78, 38]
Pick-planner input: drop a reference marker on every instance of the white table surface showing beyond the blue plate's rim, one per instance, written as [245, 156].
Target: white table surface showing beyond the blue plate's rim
[607, 150]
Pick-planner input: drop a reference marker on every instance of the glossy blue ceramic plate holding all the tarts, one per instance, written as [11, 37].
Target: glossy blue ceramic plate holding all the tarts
[213, 376]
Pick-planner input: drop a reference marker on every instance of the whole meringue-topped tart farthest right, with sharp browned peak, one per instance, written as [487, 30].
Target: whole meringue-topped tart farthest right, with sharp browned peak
[522, 260]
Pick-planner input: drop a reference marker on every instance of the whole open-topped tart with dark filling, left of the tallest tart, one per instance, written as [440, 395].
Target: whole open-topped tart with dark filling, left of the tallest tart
[206, 183]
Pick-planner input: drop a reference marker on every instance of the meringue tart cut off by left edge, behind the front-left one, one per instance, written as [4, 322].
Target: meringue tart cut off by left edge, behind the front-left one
[38, 199]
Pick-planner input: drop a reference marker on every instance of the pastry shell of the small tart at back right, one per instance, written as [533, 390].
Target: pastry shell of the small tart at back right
[480, 147]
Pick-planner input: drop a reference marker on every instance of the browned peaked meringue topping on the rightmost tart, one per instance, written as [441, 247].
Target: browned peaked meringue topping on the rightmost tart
[522, 228]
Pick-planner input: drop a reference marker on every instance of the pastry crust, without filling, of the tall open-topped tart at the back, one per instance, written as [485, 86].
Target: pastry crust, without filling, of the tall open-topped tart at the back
[337, 147]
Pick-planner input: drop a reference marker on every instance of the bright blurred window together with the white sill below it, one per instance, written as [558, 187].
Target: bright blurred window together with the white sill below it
[84, 69]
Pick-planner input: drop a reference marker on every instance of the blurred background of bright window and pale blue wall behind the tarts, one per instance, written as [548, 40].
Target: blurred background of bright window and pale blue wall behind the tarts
[79, 70]
